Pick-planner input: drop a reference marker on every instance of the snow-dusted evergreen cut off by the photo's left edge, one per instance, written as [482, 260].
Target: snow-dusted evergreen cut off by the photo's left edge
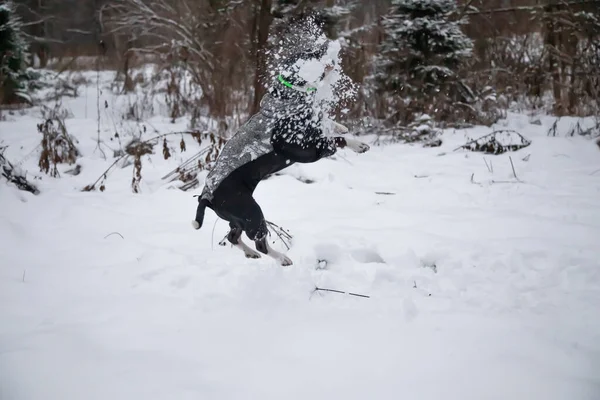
[13, 51]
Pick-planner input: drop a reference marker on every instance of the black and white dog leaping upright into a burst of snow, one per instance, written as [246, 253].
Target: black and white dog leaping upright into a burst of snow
[285, 131]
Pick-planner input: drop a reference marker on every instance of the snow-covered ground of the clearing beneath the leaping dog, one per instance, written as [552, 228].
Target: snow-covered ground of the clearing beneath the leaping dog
[481, 286]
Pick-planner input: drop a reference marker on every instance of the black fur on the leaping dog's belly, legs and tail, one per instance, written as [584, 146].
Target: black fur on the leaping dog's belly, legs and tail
[295, 138]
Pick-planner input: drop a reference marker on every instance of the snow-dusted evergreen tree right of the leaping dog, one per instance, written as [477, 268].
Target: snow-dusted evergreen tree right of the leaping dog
[420, 55]
